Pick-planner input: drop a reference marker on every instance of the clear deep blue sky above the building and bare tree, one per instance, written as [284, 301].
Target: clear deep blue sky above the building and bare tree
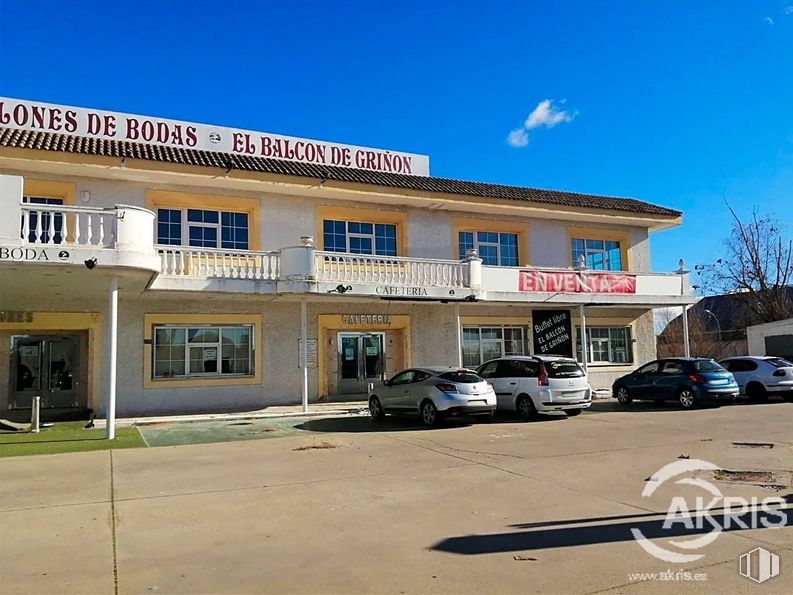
[682, 104]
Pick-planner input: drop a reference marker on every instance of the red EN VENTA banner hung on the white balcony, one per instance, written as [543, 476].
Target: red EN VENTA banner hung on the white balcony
[575, 282]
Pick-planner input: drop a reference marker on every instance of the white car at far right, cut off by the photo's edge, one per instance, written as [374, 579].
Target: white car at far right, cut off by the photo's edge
[761, 376]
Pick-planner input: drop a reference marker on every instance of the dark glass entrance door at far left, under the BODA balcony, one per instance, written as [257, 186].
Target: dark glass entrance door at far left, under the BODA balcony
[46, 367]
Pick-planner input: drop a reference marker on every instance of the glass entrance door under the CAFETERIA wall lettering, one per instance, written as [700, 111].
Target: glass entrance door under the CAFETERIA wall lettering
[360, 360]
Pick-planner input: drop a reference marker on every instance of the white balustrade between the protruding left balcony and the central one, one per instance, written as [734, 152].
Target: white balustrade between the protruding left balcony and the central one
[225, 264]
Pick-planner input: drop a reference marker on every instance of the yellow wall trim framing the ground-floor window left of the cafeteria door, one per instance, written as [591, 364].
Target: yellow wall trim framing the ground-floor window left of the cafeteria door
[152, 320]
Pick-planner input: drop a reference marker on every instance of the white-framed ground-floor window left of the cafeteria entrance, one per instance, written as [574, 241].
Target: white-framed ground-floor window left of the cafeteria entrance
[185, 351]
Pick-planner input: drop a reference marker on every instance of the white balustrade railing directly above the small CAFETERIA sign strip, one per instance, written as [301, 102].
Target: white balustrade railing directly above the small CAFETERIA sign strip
[390, 270]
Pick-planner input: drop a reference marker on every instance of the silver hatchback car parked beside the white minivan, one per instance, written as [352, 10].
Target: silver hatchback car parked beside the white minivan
[432, 393]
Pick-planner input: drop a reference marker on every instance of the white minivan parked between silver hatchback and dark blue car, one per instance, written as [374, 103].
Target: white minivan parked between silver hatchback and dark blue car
[538, 384]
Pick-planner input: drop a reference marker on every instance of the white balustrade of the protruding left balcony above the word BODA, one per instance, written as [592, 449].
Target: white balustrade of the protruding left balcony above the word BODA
[63, 224]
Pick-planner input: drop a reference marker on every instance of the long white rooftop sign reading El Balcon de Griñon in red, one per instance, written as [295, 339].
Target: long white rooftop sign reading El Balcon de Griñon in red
[22, 114]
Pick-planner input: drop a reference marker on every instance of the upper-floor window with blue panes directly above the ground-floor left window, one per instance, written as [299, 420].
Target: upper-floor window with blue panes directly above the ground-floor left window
[202, 228]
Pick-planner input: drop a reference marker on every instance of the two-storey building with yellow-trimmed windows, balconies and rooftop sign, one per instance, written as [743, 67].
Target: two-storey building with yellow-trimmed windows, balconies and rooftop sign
[211, 275]
